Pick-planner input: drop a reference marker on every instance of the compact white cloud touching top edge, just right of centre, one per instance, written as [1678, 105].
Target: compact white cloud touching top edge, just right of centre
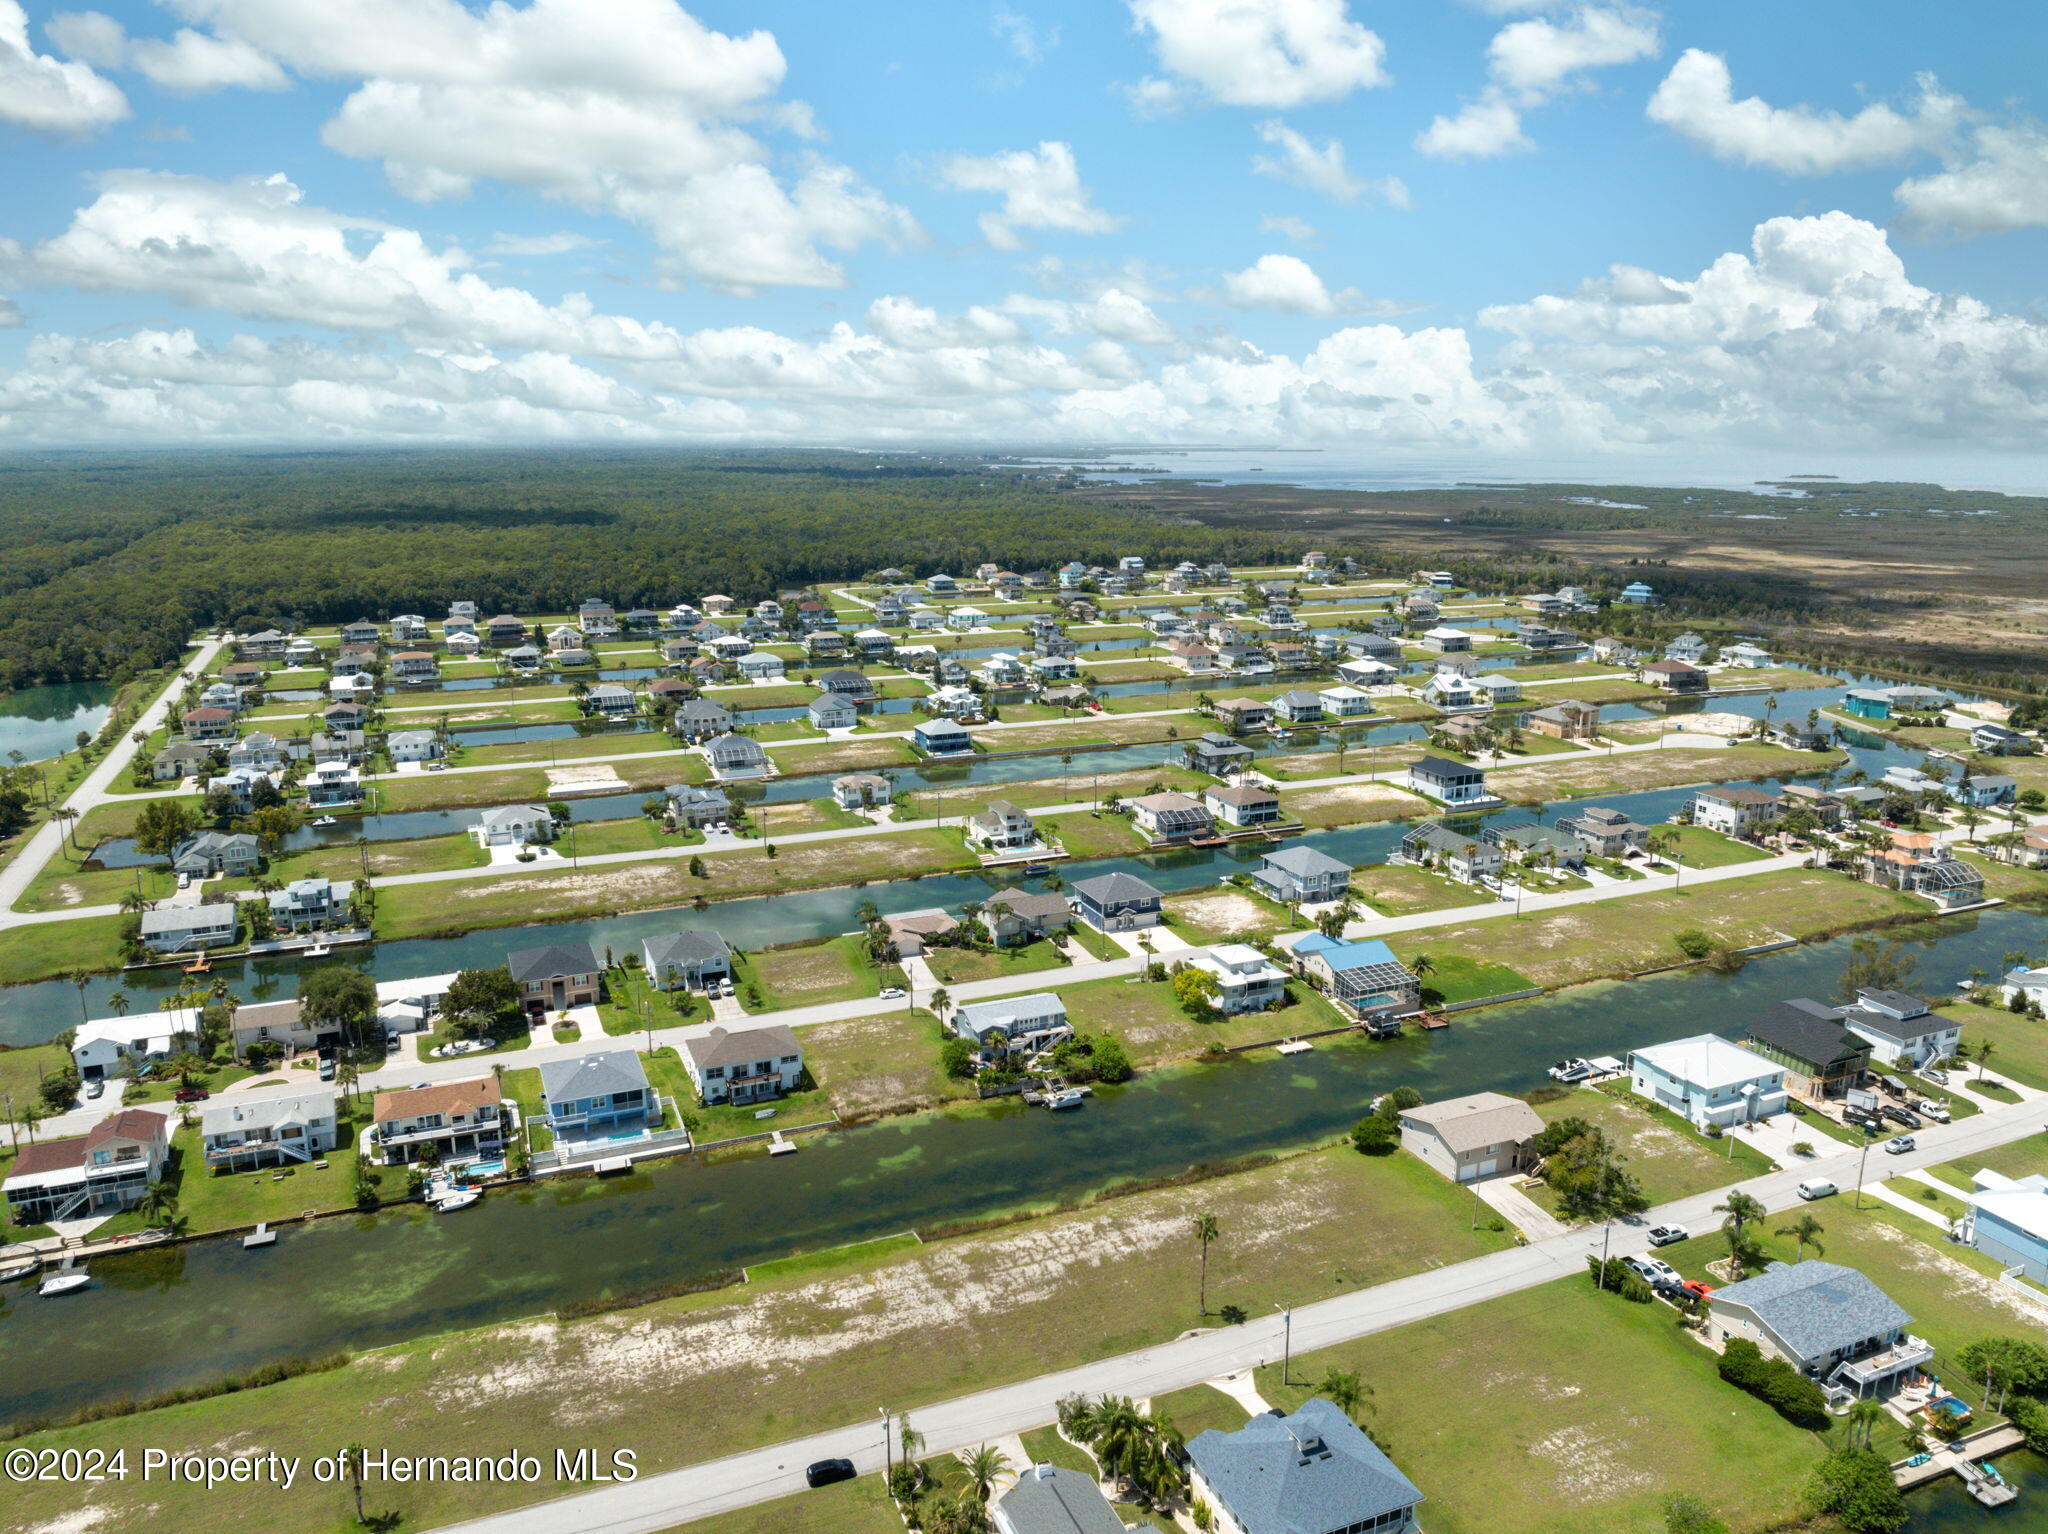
[1263, 52]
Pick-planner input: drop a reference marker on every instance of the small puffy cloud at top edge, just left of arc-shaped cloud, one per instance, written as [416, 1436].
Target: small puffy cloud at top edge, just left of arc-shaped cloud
[1529, 62]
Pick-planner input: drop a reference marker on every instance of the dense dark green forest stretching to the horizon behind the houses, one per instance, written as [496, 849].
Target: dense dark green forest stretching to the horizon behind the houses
[108, 564]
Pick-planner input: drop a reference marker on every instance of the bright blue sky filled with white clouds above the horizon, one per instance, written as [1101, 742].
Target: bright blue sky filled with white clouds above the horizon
[1490, 228]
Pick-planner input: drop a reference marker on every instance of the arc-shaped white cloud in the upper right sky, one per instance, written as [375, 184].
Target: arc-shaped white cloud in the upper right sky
[1699, 101]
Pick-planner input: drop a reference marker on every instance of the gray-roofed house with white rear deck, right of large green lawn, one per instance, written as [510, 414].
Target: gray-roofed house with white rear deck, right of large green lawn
[1830, 1322]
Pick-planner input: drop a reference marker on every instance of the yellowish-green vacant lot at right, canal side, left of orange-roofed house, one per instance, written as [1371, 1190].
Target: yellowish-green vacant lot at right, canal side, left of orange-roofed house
[1633, 933]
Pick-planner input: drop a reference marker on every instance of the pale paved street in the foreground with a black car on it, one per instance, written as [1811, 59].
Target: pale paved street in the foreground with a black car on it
[740, 1480]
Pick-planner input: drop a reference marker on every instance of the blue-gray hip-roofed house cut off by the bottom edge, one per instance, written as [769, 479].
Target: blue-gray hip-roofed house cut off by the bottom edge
[1302, 1476]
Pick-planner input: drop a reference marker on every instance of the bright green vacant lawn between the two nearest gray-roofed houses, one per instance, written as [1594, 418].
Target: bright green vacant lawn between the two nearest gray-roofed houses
[1564, 1412]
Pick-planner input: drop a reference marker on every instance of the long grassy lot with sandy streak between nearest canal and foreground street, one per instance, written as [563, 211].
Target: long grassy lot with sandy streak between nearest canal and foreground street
[814, 1349]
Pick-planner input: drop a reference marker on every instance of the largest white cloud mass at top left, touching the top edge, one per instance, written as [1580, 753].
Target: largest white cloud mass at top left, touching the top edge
[630, 108]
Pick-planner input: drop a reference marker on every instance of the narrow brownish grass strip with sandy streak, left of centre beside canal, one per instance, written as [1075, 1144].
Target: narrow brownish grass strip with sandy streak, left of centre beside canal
[421, 910]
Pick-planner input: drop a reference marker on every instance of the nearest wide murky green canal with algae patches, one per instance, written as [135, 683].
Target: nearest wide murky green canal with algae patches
[157, 1320]
